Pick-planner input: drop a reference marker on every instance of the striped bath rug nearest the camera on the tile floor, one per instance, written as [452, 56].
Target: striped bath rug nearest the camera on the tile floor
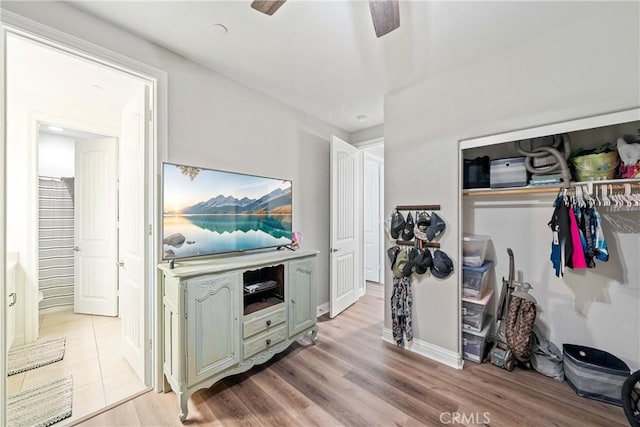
[41, 406]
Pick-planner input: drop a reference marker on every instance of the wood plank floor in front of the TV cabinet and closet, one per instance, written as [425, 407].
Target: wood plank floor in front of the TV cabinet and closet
[352, 378]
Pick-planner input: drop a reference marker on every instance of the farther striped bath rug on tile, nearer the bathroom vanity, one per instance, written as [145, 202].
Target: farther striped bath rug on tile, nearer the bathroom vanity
[30, 356]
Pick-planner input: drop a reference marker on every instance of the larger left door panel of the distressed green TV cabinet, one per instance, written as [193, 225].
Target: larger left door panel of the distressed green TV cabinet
[212, 325]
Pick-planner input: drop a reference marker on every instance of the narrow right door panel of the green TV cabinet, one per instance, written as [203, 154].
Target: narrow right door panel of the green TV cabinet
[302, 295]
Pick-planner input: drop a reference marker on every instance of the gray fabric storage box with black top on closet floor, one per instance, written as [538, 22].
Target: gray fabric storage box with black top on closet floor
[594, 373]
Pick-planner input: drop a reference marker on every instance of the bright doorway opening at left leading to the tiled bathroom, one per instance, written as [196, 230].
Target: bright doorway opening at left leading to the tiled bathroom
[80, 143]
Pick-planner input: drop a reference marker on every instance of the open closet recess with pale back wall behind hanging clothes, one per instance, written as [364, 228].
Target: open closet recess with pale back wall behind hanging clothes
[593, 304]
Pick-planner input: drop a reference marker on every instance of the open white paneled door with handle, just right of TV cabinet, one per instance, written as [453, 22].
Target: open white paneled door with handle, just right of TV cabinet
[346, 225]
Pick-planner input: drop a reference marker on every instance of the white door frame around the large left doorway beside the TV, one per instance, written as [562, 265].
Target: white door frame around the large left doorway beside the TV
[12, 23]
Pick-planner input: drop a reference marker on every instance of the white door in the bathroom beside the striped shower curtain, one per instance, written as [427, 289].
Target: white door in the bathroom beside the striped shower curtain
[96, 286]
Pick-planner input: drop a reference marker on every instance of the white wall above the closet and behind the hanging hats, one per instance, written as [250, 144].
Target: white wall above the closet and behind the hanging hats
[587, 68]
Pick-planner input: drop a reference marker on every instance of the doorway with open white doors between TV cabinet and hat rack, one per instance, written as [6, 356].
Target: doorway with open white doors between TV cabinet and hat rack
[356, 252]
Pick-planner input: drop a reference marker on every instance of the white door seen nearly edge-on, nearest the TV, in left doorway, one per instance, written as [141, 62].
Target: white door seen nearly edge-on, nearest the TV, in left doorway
[133, 235]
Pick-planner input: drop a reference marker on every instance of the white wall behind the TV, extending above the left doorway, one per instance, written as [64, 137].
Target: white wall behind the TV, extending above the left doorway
[218, 123]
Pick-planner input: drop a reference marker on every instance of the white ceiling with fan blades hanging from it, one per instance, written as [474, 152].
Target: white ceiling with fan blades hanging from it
[323, 58]
